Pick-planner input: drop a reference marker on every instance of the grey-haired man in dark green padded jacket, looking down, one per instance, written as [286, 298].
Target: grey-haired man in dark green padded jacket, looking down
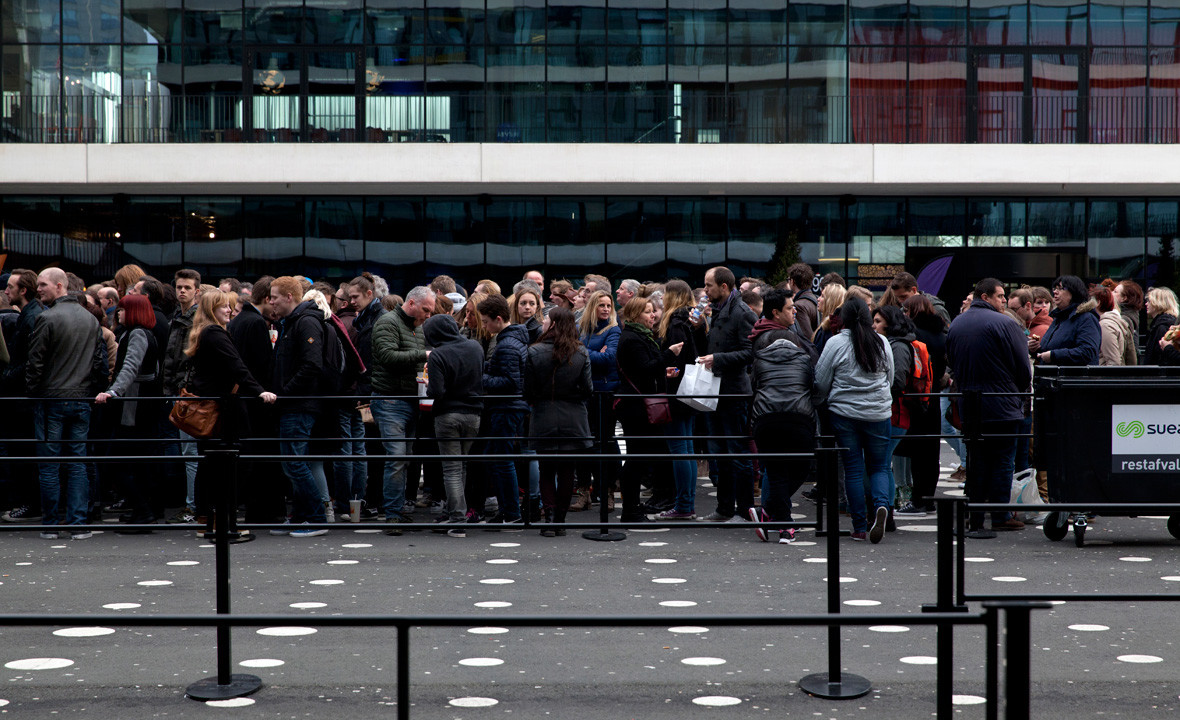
[399, 354]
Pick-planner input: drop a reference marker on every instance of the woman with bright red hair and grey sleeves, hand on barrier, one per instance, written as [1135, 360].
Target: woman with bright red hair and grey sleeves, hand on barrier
[137, 374]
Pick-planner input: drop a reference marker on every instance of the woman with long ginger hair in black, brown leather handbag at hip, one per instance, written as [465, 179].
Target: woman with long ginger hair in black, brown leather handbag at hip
[218, 371]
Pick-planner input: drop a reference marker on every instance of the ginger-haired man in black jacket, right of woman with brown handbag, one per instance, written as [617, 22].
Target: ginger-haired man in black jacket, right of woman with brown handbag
[299, 372]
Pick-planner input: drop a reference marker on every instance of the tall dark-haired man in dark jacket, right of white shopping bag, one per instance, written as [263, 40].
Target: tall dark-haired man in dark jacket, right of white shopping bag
[729, 357]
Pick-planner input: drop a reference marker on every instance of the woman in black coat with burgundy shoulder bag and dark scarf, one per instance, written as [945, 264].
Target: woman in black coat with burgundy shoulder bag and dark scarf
[643, 370]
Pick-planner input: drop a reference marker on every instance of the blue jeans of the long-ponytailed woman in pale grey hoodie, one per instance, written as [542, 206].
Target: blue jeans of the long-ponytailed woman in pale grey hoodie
[868, 444]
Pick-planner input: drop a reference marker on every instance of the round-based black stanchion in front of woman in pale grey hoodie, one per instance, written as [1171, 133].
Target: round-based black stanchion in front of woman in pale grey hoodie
[835, 684]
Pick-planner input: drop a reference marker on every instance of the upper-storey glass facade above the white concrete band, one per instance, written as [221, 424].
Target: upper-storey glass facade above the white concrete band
[591, 71]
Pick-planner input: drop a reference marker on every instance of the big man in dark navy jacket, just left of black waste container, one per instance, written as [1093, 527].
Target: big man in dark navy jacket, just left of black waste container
[987, 352]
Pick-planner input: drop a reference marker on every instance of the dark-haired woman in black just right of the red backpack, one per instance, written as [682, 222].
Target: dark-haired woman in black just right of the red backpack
[925, 420]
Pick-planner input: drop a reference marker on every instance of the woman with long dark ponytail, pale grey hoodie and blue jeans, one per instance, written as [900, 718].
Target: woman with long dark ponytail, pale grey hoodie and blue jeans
[855, 375]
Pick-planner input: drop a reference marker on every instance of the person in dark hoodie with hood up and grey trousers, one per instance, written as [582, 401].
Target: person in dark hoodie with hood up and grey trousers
[456, 383]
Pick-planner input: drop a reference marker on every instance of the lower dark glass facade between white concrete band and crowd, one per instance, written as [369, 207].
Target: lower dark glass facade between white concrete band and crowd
[408, 239]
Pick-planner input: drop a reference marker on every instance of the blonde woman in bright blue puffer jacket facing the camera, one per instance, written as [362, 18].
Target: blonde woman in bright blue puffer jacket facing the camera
[599, 330]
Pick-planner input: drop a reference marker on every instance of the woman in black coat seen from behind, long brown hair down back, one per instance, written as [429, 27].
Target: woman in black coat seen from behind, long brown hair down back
[558, 385]
